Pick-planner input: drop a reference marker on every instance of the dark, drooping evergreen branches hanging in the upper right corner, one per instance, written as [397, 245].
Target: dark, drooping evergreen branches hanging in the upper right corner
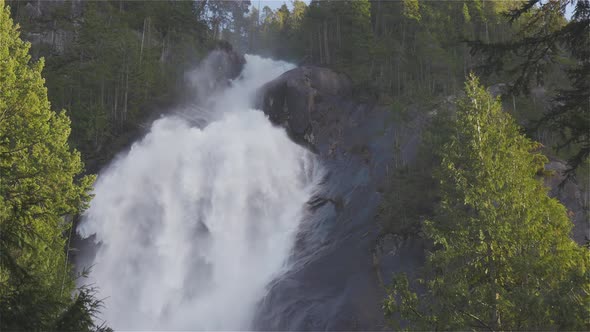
[544, 39]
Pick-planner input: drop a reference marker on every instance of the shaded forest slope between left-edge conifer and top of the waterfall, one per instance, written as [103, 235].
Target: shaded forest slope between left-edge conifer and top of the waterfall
[111, 64]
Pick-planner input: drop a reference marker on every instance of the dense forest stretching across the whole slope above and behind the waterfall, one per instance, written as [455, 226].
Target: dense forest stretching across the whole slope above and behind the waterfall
[110, 64]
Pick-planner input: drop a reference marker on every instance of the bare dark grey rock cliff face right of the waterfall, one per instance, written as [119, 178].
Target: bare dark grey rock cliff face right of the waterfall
[342, 260]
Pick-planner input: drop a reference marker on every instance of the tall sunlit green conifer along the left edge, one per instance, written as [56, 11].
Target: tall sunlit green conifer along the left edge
[40, 185]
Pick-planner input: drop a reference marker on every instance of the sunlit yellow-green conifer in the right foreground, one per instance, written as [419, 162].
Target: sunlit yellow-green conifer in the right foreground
[503, 259]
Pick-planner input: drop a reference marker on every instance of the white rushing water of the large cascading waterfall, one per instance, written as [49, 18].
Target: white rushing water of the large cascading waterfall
[193, 223]
